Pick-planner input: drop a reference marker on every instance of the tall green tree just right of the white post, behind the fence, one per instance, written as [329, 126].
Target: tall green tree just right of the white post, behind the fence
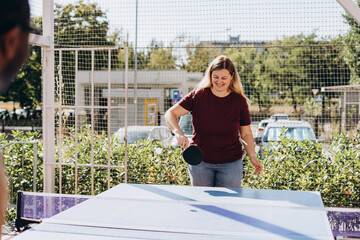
[82, 25]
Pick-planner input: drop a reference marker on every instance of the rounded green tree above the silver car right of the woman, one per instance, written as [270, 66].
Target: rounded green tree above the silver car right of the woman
[297, 64]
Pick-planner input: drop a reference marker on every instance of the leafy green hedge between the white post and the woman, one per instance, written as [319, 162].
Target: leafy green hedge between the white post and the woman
[147, 163]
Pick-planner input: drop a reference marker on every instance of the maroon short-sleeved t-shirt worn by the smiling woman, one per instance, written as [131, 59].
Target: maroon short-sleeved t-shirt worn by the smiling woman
[216, 122]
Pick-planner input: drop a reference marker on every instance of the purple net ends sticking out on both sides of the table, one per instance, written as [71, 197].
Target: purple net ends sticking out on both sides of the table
[34, 207]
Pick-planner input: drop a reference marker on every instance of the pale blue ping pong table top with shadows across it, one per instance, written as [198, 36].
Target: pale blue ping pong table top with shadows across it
[139, 211]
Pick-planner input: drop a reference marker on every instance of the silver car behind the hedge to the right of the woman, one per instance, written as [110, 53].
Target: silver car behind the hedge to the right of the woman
[298, 130]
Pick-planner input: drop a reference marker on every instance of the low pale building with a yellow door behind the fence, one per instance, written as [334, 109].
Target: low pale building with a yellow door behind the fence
[153, 96]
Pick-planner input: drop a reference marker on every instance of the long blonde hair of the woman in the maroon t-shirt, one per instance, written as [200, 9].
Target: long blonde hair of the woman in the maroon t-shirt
[219, 63]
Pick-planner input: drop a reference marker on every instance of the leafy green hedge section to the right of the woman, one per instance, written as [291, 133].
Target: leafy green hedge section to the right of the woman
[293, 165]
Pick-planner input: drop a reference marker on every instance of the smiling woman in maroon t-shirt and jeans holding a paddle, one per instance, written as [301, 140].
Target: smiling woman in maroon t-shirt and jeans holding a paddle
[220, 112]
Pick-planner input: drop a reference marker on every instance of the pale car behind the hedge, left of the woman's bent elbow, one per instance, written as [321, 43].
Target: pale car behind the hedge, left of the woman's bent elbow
[152, 133]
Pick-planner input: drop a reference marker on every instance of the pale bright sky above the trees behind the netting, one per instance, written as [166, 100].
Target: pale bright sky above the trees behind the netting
[204, 20]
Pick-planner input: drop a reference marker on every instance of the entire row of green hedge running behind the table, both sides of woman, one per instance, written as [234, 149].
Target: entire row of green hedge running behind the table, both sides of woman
[291, 165]
